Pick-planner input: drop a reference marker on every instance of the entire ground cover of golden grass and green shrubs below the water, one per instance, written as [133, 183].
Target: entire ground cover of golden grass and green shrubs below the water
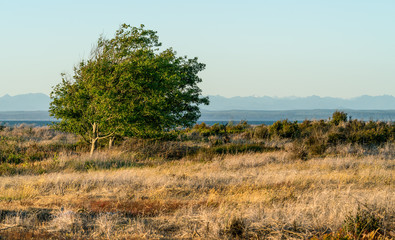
[329, 179]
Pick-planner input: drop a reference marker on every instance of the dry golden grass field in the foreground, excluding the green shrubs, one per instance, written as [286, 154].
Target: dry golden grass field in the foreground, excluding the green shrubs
[255, 196]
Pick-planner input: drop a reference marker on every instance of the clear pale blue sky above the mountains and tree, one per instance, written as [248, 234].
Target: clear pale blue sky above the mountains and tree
[275, 48]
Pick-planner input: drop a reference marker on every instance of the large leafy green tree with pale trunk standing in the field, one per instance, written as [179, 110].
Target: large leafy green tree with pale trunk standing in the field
[128, 87]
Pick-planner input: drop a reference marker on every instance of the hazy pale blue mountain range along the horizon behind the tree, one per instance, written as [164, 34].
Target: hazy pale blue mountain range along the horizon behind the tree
[40, 102]
